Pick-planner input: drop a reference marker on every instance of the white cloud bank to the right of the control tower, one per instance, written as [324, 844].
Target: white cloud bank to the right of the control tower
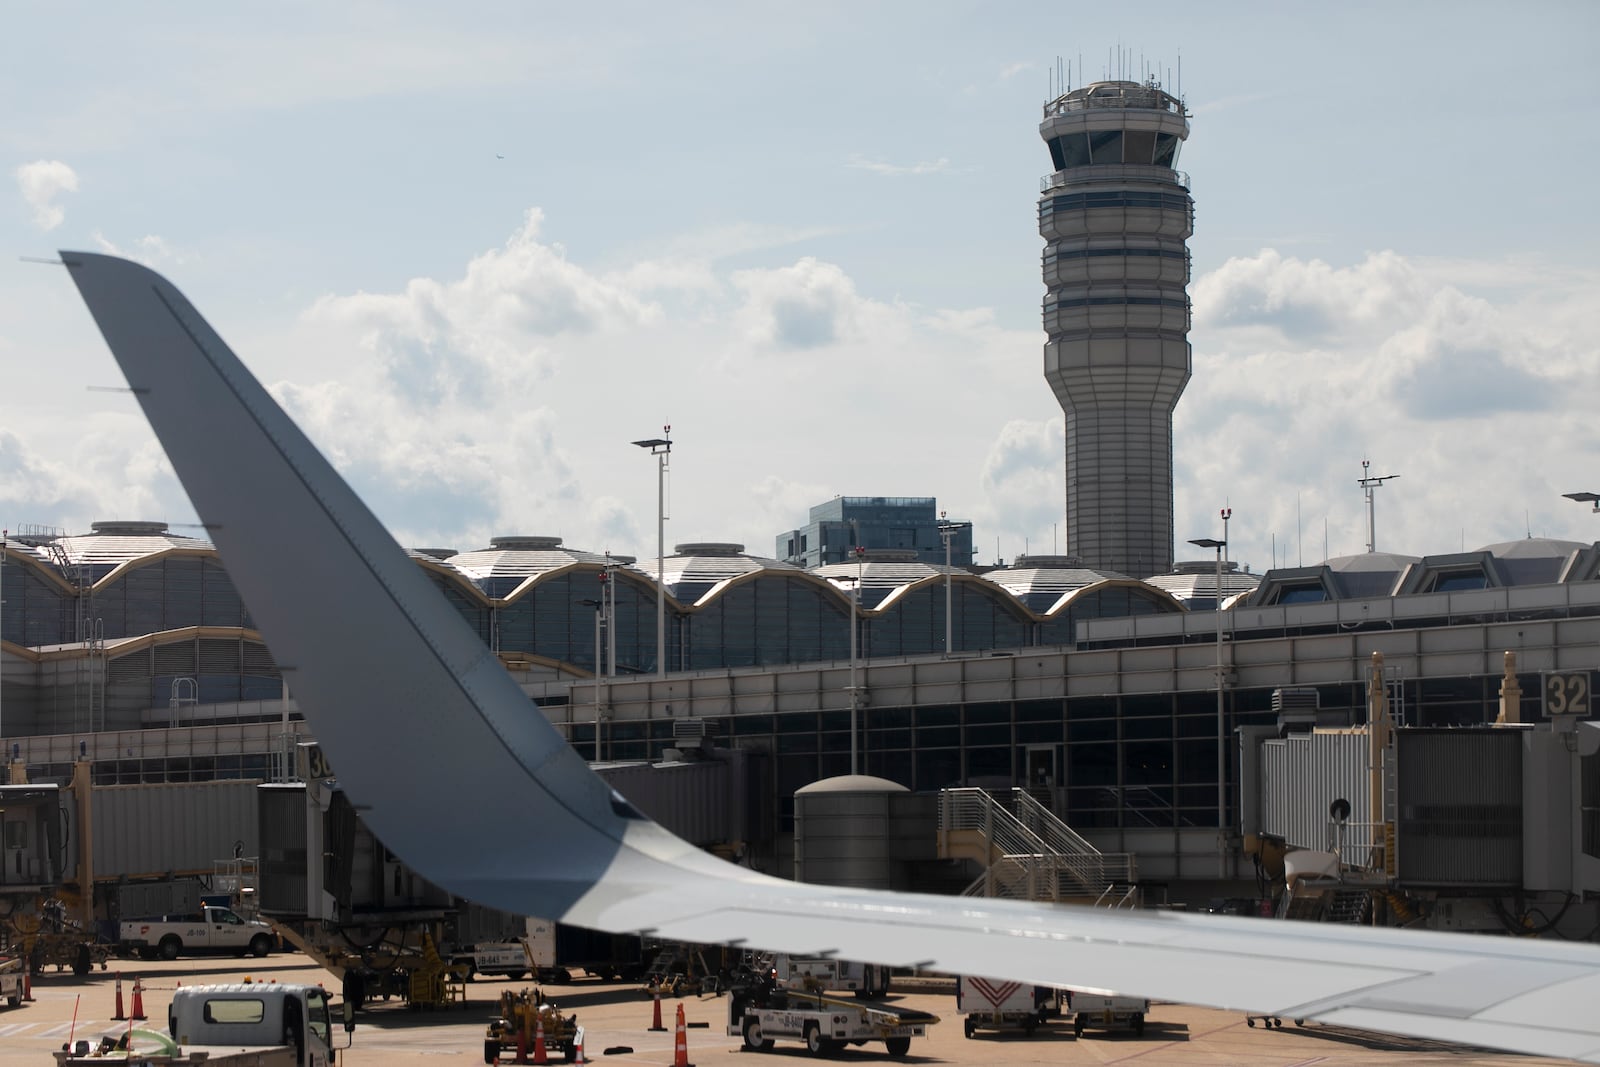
[1470, 380]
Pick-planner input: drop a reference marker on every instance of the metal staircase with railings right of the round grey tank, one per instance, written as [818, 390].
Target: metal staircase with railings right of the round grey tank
[1028, 853]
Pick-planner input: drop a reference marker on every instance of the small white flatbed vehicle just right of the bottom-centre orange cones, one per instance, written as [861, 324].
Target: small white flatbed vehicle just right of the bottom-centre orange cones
[761, 1013]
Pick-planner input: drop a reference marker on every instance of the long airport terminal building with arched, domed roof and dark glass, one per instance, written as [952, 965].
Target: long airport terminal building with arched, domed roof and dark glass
[1098, 693]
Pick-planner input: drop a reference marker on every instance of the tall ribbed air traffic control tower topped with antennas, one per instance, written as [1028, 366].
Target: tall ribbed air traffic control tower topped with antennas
[1116, 217]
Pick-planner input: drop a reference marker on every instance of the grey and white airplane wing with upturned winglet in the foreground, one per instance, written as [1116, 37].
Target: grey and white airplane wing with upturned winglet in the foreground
[412, 706]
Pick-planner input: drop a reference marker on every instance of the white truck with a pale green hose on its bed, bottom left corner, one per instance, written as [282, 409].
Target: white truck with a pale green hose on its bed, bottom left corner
[246, 1025]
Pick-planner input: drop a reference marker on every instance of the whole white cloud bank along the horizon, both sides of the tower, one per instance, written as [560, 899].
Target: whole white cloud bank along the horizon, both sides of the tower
[503, 398]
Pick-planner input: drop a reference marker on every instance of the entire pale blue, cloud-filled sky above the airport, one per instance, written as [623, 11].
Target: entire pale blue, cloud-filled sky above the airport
[478, 250]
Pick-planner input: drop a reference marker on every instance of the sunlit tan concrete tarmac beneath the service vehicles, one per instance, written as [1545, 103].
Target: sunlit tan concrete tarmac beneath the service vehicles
[617, 1023]
